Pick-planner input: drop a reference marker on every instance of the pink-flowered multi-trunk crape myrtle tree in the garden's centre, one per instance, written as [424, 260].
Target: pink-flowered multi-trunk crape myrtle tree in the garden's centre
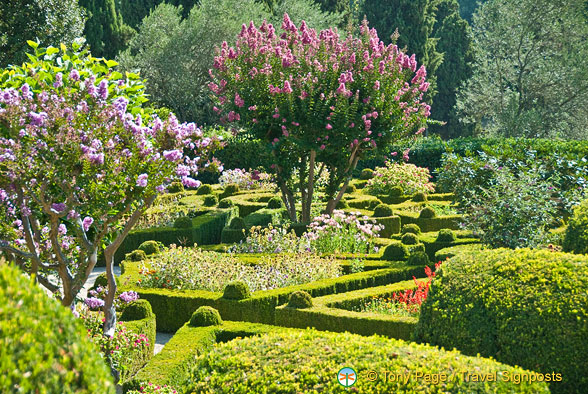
[318, 100]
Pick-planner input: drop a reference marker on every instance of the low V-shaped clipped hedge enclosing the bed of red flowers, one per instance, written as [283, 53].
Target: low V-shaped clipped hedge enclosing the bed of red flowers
[334, 313]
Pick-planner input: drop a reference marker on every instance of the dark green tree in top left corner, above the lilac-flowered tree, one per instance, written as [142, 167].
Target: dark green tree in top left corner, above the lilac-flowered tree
[49, 21]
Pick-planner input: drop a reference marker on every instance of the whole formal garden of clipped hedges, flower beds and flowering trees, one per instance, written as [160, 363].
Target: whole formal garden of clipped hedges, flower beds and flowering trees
[317, 237]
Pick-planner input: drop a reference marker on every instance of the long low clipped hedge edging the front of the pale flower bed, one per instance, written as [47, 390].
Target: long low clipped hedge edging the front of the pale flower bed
[174, 307]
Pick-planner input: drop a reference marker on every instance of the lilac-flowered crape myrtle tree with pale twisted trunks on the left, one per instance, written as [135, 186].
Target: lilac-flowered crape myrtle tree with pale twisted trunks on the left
[80, 161]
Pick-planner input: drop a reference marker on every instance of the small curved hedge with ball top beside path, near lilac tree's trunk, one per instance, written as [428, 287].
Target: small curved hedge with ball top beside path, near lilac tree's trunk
[140, 324]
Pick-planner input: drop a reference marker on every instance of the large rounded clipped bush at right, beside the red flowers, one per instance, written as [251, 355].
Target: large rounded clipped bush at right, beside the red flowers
[523, 307]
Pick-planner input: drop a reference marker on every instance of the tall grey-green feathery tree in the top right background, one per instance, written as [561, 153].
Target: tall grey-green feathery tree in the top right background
[531, 69]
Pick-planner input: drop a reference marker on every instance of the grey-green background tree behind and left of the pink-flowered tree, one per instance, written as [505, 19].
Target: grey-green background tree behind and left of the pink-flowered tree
[175, 54]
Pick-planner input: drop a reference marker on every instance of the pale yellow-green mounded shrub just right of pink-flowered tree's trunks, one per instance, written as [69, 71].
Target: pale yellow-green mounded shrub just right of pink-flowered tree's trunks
[409, 177]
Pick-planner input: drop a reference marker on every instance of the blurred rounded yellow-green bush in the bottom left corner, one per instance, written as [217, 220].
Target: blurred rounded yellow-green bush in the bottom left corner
[43, 347]
